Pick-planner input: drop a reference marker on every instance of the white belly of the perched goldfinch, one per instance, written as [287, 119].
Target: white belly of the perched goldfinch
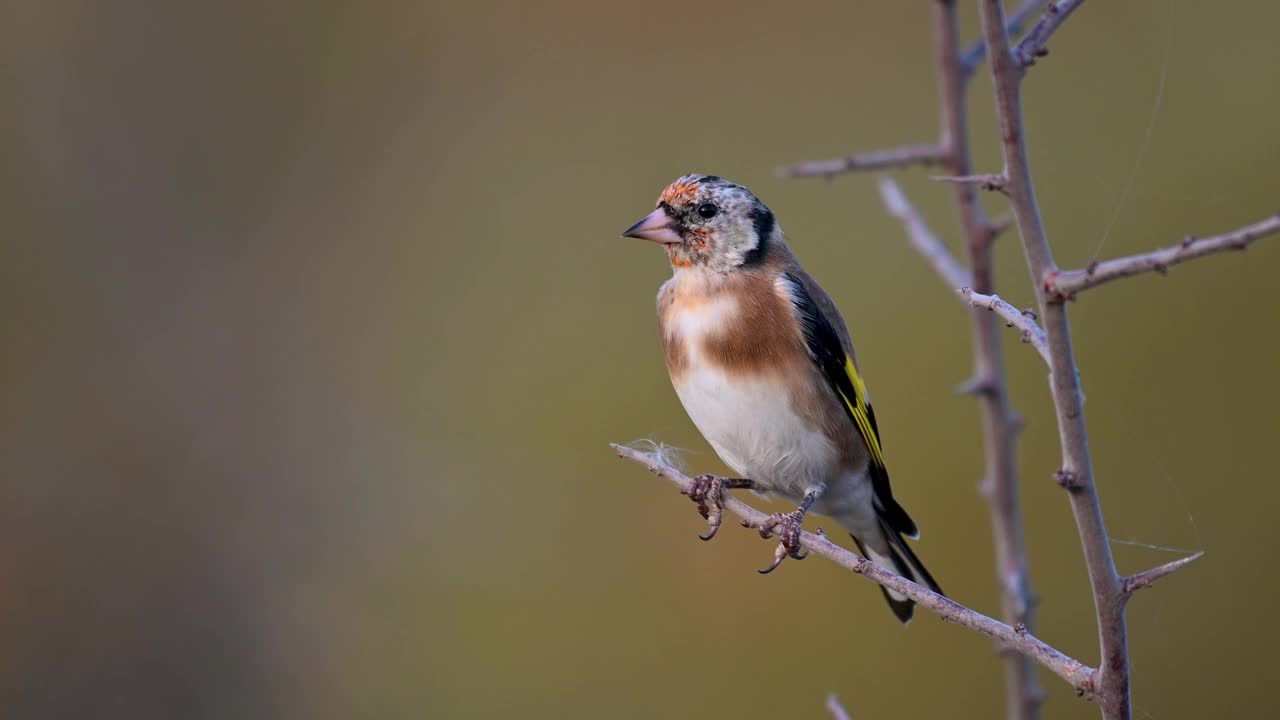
[756, 432]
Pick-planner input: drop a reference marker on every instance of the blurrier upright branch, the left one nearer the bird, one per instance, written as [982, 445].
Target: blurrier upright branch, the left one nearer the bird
[1023, 694]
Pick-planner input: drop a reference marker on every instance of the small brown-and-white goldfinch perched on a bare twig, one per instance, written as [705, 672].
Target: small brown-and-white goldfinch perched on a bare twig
[764, 364]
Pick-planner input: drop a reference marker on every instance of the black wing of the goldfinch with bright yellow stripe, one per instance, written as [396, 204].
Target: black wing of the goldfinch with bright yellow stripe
[833, 353]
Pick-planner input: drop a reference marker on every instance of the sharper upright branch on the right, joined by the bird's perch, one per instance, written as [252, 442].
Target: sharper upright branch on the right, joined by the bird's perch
[1077, 472]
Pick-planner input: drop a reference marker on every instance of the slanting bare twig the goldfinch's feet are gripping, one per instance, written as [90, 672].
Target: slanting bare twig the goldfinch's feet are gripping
[1017, 639]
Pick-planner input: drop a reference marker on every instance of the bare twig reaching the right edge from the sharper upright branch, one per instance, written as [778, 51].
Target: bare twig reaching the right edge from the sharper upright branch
[1067, 284]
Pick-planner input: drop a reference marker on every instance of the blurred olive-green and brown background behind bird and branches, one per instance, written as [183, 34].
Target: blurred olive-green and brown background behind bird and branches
[317, 327]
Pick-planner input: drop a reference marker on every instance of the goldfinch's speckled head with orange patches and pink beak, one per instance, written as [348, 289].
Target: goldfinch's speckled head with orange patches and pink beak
[708, 222]
